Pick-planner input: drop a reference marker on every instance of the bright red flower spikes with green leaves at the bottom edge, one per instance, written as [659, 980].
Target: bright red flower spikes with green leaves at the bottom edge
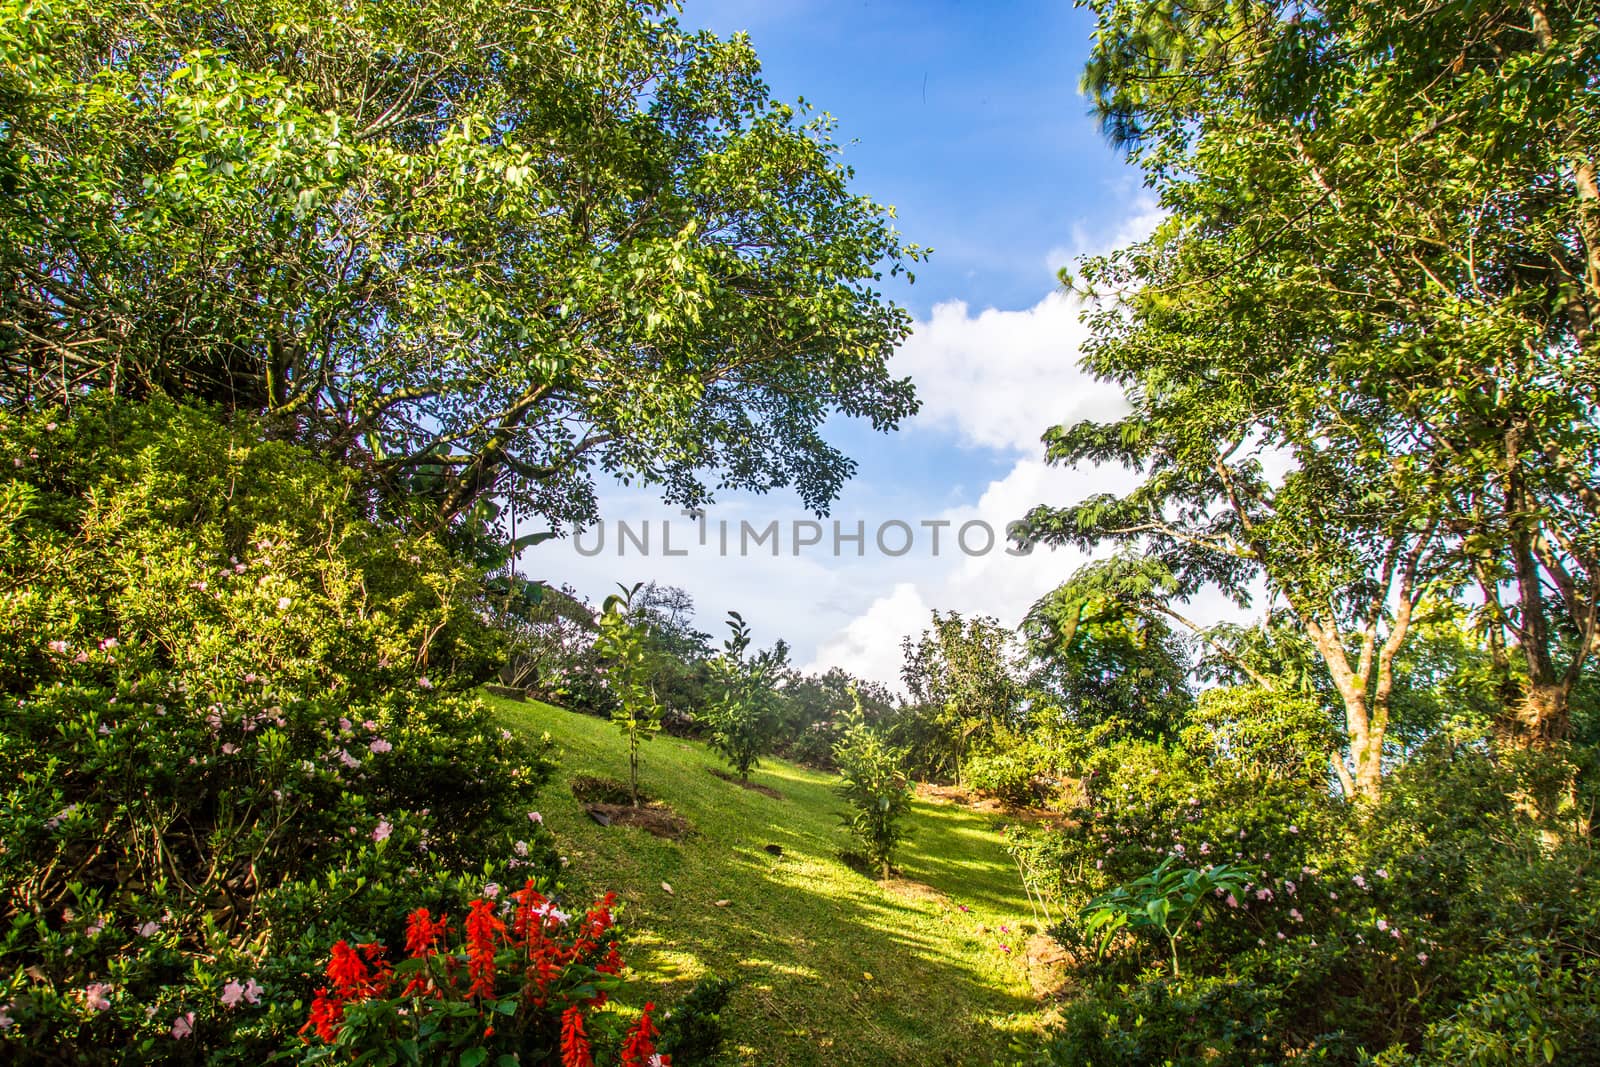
[521, 981]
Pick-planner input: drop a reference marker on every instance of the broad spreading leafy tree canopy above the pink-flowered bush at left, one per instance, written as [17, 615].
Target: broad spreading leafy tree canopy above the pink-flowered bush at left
[471, 249]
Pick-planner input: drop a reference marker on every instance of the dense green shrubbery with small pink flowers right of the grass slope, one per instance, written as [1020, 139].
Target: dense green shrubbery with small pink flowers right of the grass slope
[1441, 927]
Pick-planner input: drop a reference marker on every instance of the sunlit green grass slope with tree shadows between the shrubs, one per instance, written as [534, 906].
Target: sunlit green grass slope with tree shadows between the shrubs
[802, 932]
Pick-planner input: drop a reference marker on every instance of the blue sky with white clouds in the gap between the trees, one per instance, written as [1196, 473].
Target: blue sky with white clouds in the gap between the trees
[969, 121]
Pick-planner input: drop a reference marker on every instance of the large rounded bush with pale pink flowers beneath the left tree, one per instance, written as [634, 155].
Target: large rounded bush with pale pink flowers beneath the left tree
[234, 713]
